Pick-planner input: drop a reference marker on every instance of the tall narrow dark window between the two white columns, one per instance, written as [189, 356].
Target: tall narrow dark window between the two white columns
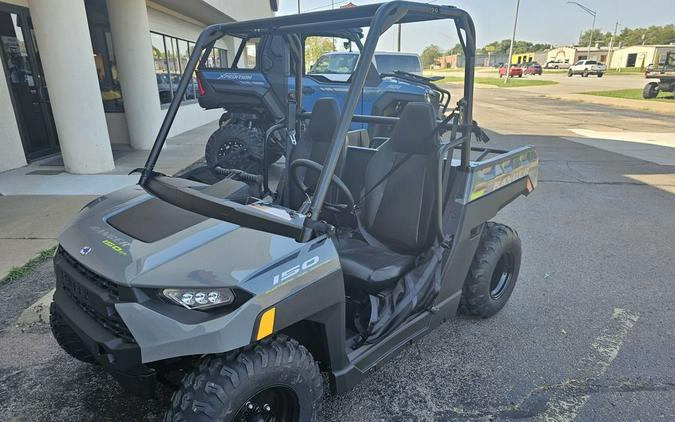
[104, 56]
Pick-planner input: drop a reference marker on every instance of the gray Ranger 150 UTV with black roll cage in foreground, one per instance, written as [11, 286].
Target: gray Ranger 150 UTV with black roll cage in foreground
[240, 302]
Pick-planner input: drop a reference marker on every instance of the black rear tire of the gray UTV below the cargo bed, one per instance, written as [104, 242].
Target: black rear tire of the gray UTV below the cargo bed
[493, 273]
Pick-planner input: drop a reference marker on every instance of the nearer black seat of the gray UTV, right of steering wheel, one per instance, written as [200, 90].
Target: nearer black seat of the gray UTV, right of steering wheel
[395, 221]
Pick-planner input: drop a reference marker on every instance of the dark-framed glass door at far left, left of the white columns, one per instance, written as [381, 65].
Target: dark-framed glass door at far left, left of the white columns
[26, 83]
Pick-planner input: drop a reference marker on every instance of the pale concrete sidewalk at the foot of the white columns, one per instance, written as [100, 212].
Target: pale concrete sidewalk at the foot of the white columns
[39, 200]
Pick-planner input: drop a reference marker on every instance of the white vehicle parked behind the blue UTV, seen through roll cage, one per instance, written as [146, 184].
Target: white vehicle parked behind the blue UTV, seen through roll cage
[339, 66]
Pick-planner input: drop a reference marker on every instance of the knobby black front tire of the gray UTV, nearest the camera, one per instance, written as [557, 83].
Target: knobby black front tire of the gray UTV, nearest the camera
[277, 379]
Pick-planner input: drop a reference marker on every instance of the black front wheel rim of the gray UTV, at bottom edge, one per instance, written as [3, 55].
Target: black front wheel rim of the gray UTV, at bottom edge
[274, 404]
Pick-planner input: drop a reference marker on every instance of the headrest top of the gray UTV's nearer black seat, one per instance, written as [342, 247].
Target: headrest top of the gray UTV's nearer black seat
[412, 132]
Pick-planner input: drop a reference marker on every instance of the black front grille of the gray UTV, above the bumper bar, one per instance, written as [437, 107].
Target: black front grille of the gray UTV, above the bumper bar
[93, 294]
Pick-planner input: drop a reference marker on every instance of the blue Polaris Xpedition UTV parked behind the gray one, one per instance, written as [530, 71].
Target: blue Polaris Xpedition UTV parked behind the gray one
[256, 93]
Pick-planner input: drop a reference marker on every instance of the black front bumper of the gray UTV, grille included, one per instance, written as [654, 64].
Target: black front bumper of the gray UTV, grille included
[88, 308]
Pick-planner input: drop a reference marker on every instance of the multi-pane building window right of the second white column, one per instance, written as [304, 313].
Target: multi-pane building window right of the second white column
[171, 56]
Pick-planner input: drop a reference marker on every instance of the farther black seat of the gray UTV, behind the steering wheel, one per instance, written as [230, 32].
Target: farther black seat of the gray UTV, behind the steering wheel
[314, 145]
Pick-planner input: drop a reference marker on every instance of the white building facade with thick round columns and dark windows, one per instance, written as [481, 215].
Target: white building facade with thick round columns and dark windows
[79, 76]
